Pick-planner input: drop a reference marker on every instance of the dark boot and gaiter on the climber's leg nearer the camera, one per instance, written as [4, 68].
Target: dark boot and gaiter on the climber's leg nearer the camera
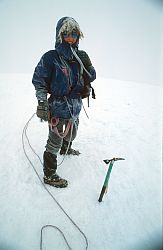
[50, 175]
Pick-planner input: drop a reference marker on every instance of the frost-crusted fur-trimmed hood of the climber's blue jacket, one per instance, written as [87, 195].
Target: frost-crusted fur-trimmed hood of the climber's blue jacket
[67, 24]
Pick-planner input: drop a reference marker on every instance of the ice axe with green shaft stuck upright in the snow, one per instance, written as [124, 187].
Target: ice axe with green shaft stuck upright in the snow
[105, 185]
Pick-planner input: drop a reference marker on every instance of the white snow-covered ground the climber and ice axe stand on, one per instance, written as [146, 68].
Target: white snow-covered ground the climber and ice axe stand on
[124, 121]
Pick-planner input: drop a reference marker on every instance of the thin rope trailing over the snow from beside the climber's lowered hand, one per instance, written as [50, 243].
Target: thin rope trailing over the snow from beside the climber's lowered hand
[24, 135]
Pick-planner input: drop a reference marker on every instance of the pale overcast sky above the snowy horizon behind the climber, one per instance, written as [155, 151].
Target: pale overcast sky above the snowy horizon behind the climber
[122, 37]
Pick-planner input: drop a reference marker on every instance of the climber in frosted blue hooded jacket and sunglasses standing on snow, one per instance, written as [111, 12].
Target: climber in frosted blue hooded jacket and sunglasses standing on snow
[60, 73]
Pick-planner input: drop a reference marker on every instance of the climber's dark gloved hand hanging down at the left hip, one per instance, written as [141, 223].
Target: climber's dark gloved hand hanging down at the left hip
[42, 110]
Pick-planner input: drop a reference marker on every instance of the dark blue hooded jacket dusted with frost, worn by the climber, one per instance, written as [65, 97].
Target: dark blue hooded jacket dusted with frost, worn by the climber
[59, 74]
